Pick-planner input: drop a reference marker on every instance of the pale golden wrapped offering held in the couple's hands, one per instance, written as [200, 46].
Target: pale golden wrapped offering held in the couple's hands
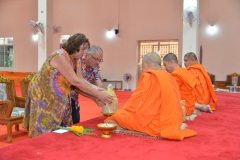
[110, 109]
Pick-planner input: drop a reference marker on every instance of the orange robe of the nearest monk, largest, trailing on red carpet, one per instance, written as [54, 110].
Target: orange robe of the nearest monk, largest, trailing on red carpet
[154, 107]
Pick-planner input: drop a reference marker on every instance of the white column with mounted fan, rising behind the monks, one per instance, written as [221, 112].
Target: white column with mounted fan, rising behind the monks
[190, 32]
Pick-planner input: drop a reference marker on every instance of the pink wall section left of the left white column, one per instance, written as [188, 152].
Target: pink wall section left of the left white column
[14, 22]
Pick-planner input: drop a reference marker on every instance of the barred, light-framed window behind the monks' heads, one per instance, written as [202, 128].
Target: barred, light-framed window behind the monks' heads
[161, 47]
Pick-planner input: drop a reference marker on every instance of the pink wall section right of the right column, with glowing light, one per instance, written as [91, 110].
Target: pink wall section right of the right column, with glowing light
[221, 52]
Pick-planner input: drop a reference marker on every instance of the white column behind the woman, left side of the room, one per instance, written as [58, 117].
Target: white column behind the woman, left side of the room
[46, 37]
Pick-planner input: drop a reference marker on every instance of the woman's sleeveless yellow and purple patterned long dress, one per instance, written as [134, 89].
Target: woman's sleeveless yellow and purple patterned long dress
[48, 99]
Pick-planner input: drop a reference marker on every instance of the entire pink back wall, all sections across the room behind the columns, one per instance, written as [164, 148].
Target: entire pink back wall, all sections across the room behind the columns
[138, 20]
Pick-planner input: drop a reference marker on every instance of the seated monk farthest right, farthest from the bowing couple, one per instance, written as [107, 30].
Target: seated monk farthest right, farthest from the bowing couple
[204, 90]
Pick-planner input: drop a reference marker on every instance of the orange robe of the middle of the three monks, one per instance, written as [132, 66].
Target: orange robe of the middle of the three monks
[186, 83]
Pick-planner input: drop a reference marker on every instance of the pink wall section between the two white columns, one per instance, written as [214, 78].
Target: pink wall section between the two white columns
[138, 20]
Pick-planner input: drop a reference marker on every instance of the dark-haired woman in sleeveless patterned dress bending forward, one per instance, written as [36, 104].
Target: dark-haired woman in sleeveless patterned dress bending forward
[48, 100]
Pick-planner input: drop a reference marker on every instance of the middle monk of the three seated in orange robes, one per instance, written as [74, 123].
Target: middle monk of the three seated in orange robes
[186, 82]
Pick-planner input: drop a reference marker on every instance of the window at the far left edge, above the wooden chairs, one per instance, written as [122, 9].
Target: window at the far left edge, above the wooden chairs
[6, 52]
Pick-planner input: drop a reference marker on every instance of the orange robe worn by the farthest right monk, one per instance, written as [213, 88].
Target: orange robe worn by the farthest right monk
[204, 90]
